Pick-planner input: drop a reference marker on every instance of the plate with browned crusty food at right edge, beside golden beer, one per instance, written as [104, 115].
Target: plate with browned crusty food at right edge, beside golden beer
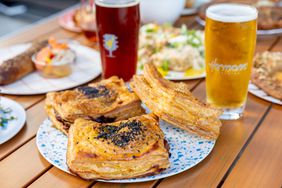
[266, 80]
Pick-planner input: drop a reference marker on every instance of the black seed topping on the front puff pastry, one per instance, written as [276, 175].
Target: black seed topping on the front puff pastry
[117, 134]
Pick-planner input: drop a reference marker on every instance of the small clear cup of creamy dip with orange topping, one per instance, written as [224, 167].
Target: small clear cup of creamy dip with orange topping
[54, 60]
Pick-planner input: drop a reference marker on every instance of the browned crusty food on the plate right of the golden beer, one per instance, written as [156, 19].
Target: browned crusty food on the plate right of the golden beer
[267, 66]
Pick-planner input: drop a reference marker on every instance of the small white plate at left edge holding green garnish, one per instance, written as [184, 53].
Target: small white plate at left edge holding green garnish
[13, 126]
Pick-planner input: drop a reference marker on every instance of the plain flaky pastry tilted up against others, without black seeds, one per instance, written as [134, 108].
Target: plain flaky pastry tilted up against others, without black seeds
[174, 103]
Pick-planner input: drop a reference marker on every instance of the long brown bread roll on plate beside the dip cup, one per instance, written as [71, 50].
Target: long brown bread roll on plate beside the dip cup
[19, 66]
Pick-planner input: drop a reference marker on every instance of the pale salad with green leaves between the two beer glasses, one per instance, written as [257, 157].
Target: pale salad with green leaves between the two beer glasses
[171, 49]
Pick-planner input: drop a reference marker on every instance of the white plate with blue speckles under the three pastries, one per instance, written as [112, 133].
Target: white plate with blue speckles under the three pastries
[187, 150]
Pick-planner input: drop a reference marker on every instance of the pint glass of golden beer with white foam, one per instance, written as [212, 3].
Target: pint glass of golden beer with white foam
[230, 38]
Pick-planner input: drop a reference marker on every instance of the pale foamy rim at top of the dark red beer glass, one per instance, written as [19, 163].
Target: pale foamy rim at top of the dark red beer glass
[116, 3]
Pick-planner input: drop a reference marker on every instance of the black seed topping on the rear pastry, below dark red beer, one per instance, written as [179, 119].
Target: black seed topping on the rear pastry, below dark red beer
[94, 92]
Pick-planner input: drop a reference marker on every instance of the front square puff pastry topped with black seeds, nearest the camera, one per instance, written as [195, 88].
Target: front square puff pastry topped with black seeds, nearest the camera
[126, 149]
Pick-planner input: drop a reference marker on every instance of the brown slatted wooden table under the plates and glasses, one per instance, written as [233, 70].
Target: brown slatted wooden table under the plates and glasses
[248, 152]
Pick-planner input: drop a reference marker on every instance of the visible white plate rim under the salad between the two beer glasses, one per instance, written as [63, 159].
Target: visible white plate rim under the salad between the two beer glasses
[174, 75]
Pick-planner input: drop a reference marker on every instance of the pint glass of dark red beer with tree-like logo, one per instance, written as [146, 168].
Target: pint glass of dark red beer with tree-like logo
[118, 24]
